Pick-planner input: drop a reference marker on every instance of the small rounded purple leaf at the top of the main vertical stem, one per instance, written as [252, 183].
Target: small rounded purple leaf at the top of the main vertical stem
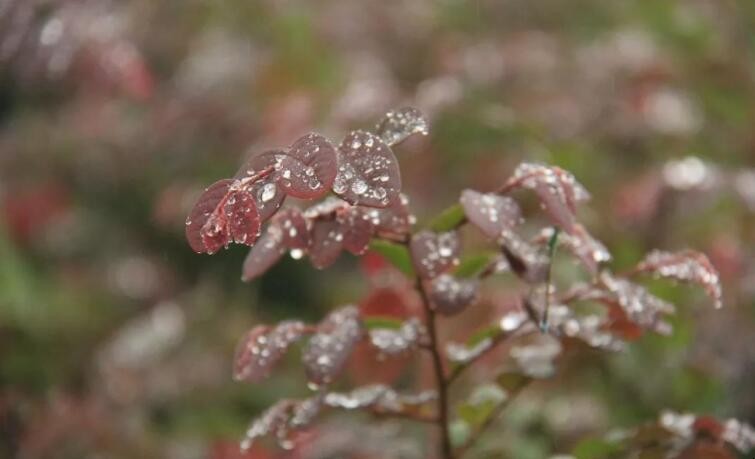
[434, 253]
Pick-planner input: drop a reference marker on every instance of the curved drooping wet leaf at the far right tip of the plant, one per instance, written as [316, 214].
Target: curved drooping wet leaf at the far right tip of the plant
[685, 266]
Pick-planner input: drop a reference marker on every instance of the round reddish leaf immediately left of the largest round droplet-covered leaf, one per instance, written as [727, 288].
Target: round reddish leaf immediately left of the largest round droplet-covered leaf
[308, 168]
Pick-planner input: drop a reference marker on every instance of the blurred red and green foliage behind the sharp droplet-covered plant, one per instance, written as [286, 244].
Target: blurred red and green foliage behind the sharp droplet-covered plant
[116, 340]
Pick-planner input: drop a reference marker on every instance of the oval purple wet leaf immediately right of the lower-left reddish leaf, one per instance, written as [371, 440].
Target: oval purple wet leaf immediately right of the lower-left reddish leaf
[330, 348]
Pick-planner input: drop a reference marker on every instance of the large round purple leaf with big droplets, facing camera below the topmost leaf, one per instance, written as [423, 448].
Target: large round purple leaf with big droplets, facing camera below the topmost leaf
[368, 172]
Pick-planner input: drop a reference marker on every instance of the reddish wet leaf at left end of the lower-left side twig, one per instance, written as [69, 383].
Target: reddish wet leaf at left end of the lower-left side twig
[263, 347]
